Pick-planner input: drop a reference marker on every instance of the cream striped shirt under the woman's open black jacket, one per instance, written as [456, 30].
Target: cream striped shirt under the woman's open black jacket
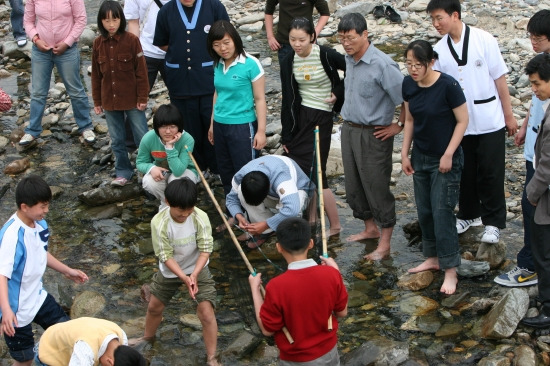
[313, 82]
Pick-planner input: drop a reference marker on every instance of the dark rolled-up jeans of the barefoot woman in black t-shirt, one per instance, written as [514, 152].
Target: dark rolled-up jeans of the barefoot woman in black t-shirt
[436, 196]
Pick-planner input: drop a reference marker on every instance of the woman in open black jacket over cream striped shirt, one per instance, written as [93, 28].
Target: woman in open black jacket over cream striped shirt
[312, 91]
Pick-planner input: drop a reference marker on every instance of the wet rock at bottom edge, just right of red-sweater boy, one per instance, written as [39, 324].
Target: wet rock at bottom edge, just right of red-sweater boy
[378, 351]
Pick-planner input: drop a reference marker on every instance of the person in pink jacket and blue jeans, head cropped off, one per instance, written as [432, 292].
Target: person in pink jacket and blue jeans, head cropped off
[54, 27]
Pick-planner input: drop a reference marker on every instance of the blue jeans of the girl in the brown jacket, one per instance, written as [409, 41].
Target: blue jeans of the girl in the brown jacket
[117, 131]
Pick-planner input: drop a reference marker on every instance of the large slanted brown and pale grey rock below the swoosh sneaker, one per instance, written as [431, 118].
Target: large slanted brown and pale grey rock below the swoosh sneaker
[502, 320]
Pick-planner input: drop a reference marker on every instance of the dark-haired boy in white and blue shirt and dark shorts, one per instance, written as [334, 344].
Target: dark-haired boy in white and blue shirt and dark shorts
[23, 259]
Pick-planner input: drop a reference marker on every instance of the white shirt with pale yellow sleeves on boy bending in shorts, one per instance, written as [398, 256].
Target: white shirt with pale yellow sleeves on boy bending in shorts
[181, 241]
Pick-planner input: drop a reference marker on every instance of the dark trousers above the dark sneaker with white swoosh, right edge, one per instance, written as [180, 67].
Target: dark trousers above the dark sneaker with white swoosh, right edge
[525, 255]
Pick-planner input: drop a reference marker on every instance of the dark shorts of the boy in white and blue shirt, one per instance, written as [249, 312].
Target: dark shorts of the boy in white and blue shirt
[21, 345]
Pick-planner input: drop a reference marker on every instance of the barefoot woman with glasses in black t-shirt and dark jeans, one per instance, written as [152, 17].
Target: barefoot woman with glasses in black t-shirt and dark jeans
[436, 118]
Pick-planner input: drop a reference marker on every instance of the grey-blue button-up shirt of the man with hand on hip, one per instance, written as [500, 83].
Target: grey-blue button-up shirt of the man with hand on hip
[373, 88]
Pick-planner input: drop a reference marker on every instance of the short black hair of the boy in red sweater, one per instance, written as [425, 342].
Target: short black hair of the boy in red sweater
[294, 234]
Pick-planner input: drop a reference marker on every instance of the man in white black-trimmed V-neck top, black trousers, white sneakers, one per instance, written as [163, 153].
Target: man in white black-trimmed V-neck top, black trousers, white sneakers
[472, 57]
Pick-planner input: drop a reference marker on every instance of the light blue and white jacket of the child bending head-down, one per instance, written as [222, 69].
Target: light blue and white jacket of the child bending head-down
[285, 178]
